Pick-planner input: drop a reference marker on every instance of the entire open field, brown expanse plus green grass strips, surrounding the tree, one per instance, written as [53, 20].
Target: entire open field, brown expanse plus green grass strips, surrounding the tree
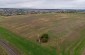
[66, 32]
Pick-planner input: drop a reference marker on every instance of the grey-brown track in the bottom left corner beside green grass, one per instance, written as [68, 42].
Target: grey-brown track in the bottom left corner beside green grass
[9, 49]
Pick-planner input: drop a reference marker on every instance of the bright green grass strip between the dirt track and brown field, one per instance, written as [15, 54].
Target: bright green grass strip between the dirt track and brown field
[27, 47]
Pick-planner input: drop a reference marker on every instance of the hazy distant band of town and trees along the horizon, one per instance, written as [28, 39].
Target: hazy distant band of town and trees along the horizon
[16, 11]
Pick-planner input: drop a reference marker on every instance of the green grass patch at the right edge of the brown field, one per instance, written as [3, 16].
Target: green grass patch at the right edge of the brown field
[78, 50]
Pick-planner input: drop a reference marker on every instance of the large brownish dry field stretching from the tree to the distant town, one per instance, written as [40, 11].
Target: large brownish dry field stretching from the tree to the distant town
[64, 30]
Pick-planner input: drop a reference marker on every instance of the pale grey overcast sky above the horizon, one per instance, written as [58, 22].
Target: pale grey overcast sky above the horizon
[43, 4]
